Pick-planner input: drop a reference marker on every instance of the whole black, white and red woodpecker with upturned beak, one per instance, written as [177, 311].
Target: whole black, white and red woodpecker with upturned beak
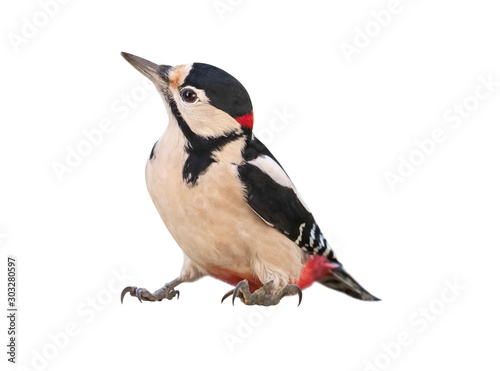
[226, 200]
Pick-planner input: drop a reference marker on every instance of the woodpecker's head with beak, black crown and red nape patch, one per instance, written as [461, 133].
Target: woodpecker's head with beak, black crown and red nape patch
[206, 101]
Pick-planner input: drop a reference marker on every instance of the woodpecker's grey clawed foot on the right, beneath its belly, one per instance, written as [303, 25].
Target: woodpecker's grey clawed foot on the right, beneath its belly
[262, 296]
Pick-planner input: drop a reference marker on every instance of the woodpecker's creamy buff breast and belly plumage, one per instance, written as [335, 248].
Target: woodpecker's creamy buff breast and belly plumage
[212, 222]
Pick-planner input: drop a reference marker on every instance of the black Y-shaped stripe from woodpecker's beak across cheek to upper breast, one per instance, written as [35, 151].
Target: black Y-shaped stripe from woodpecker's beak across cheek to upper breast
[200, 149]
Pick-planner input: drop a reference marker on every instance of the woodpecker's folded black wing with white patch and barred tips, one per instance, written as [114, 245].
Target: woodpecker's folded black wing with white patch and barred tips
[272, 195]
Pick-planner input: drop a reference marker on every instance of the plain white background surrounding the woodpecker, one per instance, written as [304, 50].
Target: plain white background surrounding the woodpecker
[351, 122]
